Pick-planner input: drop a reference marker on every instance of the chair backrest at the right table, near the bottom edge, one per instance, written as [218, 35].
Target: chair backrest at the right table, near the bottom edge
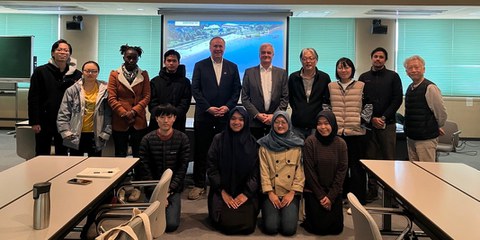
[364, 226]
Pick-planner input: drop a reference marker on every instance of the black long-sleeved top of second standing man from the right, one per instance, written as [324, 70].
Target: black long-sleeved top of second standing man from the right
[383, 89]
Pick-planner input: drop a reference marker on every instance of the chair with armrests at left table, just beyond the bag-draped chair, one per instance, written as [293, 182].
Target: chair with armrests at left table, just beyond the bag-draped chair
[160, 193]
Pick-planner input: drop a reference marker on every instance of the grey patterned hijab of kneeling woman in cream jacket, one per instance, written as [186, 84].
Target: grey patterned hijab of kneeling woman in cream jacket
[280, 142]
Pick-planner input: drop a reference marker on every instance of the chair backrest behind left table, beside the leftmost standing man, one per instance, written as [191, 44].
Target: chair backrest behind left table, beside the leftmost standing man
[25, 139]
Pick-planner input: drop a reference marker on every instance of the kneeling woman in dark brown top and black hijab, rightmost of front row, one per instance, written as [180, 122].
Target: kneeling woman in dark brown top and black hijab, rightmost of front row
[325, 158]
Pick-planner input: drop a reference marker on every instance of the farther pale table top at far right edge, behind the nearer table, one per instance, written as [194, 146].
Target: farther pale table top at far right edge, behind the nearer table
[459, 175]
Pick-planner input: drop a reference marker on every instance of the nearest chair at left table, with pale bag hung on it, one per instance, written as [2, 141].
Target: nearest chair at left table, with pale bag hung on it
[135, 228]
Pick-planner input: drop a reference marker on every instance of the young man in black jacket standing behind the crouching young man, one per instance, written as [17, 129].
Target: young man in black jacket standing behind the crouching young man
[171, 86]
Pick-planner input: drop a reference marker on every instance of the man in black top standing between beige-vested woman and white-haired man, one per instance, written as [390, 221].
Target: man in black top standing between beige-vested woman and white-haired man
[384, 90]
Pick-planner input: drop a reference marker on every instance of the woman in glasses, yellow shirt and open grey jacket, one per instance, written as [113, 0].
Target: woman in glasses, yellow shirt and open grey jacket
[85, 118]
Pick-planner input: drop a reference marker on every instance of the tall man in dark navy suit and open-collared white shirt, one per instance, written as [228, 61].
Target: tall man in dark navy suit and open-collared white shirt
[216, 89]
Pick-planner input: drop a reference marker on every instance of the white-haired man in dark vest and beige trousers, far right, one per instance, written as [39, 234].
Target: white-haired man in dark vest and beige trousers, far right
[425, 113]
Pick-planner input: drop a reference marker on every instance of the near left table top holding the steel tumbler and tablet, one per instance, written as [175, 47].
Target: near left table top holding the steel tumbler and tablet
[70, 203]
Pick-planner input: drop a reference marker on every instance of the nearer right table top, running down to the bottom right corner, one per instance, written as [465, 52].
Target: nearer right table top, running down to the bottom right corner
[435, 205]
